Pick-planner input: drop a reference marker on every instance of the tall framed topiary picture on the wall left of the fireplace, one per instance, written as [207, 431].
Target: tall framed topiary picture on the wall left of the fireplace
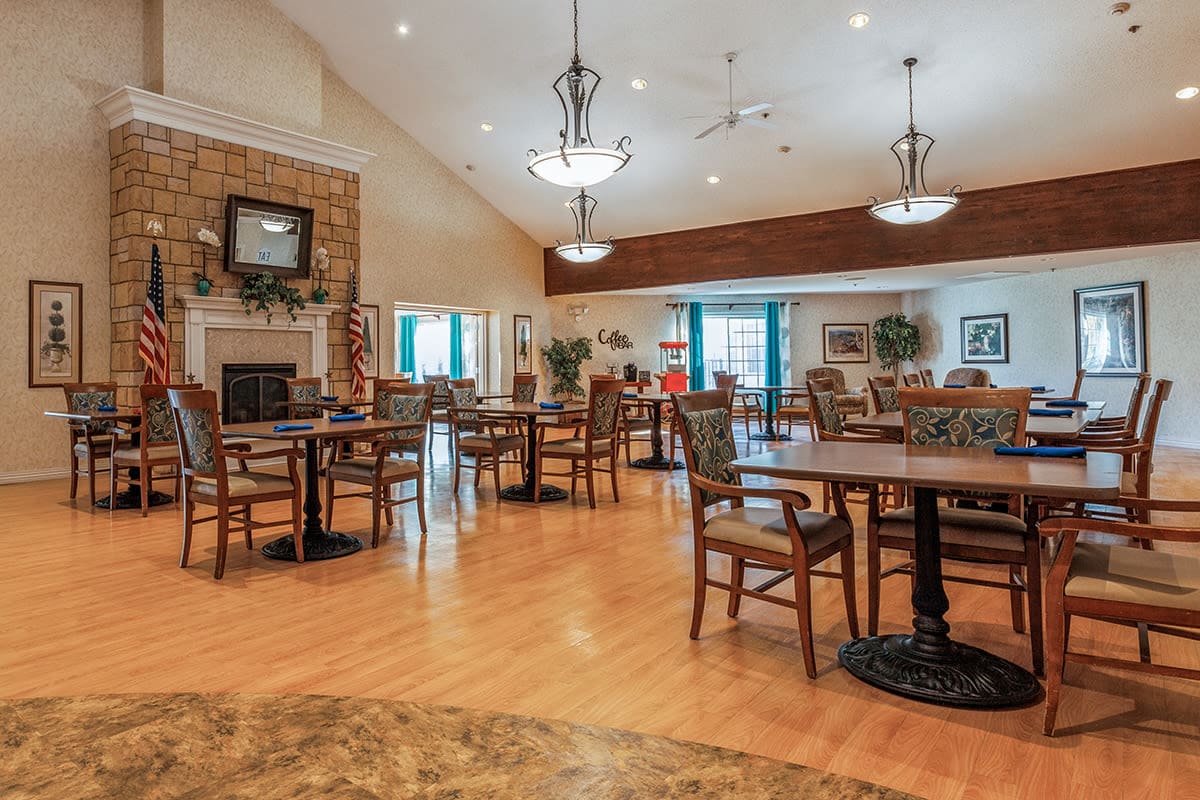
[56, 334]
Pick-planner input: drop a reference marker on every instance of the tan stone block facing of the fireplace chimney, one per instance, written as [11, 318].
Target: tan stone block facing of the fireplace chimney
[183, 181]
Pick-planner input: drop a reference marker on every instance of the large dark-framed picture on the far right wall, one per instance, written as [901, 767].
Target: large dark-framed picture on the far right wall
[1111, 330]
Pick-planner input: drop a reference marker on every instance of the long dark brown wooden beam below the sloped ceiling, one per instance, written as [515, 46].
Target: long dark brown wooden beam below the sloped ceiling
[1127, 208]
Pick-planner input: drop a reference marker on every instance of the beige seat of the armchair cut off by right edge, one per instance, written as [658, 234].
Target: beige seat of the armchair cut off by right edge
[1131, 575]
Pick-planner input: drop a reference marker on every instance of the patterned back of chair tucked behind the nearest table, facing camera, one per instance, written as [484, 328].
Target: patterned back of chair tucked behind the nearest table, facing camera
[965, 418]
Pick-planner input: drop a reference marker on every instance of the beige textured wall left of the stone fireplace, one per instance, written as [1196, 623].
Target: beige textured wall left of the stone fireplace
[57, 59]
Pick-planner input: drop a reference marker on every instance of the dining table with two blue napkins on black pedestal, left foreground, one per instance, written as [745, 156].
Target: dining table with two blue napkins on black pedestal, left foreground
[319, 543]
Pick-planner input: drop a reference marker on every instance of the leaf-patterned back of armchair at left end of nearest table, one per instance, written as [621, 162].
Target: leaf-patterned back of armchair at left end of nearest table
[707, 434]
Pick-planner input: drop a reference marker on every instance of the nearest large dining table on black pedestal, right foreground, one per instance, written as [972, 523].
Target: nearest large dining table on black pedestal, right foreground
[927, 664]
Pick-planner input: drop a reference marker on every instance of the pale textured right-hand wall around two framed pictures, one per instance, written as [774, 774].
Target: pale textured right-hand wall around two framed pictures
[1042, 339]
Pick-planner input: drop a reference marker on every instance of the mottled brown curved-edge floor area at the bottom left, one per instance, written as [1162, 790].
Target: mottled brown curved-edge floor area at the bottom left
[259, 747]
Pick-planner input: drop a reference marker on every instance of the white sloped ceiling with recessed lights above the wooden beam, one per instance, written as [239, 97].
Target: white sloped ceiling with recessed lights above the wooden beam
[1013, 92]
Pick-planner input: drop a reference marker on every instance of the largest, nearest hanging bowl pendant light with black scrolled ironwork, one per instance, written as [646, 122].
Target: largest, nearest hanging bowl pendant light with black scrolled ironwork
[578, 163]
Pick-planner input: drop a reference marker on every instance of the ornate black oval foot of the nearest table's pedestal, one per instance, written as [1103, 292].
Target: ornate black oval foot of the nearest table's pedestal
[961, 676]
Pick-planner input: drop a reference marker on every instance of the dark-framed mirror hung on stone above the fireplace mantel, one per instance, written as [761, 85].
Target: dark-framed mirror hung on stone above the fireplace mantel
[265, 237]
